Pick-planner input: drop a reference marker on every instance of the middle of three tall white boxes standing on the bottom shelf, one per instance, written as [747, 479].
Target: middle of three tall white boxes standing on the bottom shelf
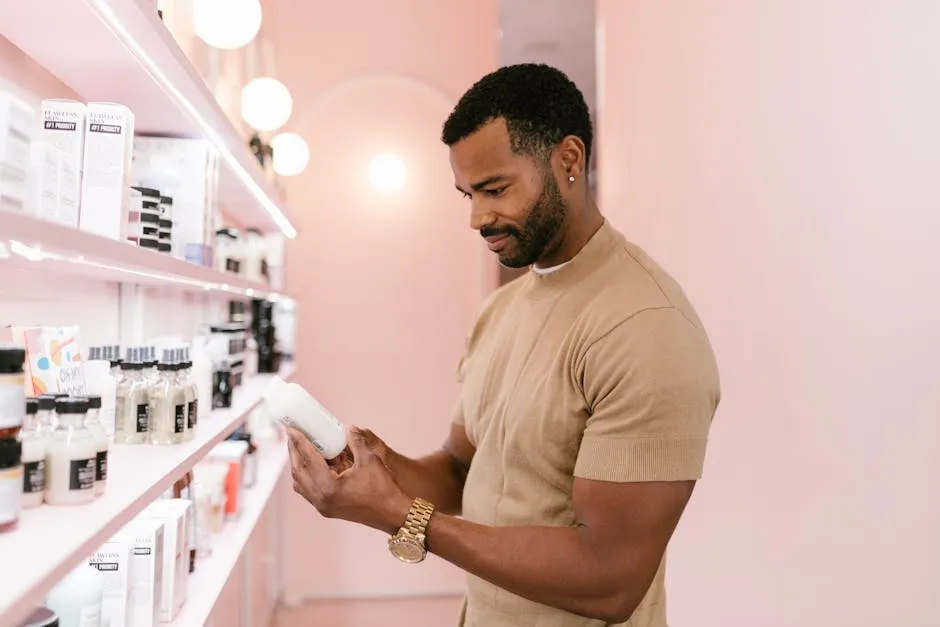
[145, 536]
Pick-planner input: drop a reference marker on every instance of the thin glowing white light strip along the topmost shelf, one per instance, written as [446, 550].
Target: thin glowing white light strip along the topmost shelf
[108, 17]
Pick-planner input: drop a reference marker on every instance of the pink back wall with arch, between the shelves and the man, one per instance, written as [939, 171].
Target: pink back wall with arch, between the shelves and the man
[387, 284]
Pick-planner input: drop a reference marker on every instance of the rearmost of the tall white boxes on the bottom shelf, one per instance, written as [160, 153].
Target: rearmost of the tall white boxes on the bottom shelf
[175, 516]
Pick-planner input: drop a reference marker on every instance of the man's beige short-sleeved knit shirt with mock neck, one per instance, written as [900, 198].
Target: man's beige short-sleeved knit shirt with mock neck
[600, 370]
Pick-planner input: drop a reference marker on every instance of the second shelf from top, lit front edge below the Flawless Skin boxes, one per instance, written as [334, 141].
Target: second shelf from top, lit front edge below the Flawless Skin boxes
[28, 242]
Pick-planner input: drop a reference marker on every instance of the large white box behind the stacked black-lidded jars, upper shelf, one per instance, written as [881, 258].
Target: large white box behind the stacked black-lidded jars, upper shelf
[186, 170]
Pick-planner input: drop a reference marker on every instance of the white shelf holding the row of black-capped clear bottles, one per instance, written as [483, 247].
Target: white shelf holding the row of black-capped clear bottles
[51, 540]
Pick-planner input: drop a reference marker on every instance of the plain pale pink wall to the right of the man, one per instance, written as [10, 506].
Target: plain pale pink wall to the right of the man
[782, 158]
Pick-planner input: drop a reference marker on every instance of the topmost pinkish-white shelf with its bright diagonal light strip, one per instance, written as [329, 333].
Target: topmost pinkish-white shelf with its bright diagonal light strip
[120, 51]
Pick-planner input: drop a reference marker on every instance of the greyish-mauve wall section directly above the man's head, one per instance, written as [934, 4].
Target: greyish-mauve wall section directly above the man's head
[557, 32]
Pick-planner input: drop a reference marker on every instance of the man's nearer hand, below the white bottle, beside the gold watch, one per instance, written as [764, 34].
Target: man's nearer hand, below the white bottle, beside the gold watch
[364, 492]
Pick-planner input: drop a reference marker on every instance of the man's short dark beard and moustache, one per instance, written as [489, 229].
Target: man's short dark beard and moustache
[545, 218]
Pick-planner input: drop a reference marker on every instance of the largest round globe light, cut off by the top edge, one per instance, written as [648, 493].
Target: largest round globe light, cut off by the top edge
[226, 24]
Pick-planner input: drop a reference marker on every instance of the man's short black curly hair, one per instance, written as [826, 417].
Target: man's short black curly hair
[541, 106]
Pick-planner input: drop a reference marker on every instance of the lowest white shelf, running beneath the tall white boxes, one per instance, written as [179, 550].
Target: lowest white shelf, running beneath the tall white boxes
[212, 574]
